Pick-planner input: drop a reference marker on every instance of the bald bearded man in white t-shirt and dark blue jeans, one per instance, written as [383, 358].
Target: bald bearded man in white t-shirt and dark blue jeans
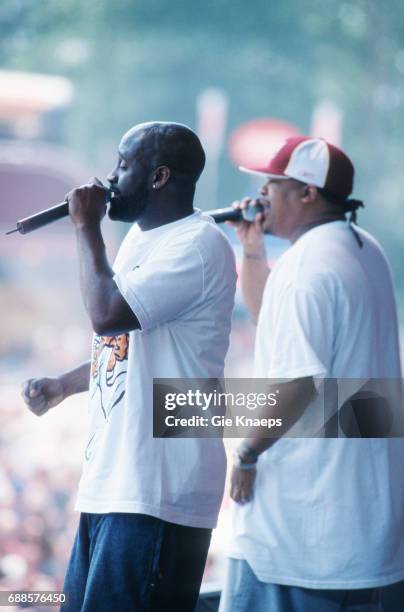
[147, 505]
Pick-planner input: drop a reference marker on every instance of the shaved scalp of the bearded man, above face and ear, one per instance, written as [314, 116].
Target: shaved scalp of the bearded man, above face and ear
[166, 144]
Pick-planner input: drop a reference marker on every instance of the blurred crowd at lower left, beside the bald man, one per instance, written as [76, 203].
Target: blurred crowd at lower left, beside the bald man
[39, 469]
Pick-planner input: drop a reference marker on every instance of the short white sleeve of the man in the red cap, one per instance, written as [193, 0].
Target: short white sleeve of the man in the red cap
[303, 332]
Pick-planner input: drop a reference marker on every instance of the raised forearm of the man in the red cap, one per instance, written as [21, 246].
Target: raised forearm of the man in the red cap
[254, 275]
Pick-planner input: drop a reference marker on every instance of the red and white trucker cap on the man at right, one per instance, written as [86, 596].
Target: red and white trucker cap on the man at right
[313, 161]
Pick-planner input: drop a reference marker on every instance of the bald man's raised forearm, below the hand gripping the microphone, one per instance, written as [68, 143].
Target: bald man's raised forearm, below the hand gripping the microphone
[96, 275]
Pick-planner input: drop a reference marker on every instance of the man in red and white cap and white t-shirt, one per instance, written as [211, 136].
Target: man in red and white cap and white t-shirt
[317, 522]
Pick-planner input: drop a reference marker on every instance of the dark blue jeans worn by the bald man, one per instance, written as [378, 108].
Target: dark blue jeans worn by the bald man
[134, 563]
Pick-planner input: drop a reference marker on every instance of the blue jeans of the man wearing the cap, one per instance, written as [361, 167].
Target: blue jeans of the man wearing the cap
[243, 592]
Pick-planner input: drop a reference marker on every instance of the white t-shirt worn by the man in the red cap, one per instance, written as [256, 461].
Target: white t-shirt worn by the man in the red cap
[327, 513]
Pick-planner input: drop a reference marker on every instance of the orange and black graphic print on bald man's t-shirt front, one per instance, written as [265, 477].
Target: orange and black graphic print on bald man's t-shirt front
[108, 377]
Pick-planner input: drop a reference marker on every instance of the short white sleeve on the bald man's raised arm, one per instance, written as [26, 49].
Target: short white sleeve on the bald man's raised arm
[166, 286]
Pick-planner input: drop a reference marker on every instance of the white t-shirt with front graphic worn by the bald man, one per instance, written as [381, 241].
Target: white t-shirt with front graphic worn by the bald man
[179, 279]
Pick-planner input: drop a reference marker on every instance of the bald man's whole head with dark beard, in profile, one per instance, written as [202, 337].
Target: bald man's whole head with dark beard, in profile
[154, 178]
